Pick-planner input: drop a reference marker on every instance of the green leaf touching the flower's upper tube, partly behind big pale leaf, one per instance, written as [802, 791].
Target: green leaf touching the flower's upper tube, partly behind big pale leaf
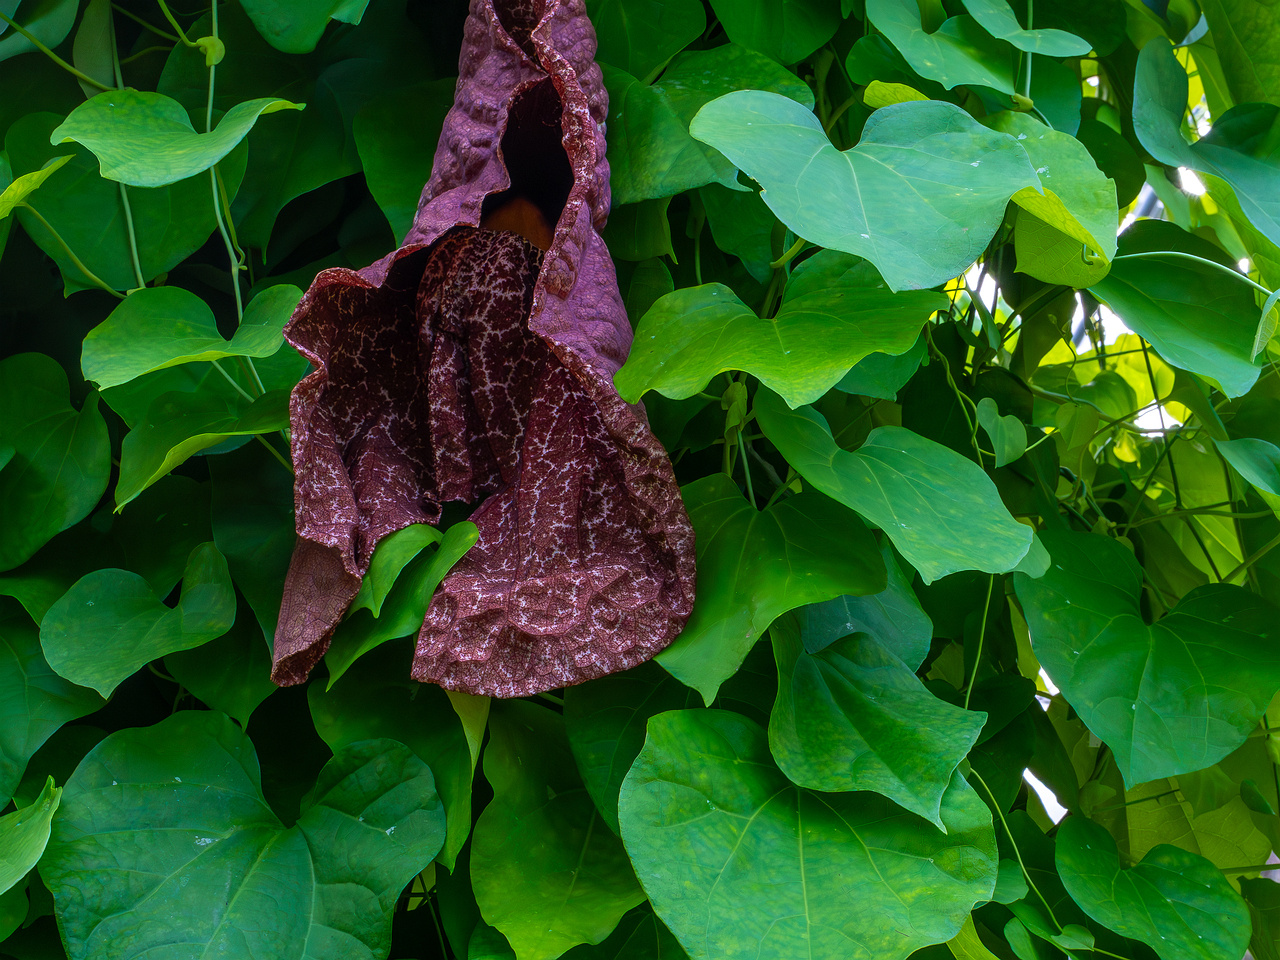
[651, 152]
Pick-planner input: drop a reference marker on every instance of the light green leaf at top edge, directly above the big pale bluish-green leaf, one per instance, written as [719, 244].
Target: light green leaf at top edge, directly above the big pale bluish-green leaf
[958, 52]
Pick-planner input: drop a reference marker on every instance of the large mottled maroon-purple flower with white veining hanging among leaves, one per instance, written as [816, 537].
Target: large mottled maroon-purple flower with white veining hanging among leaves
[469, 365]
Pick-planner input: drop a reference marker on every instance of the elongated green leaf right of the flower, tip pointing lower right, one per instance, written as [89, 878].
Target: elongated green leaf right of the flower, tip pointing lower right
[940, 510]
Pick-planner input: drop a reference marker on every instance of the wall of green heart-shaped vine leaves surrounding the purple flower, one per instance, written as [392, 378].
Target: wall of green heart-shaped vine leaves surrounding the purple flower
[957, 319]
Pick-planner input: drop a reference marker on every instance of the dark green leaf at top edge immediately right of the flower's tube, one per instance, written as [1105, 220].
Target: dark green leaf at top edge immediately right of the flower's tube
[641, 36]
